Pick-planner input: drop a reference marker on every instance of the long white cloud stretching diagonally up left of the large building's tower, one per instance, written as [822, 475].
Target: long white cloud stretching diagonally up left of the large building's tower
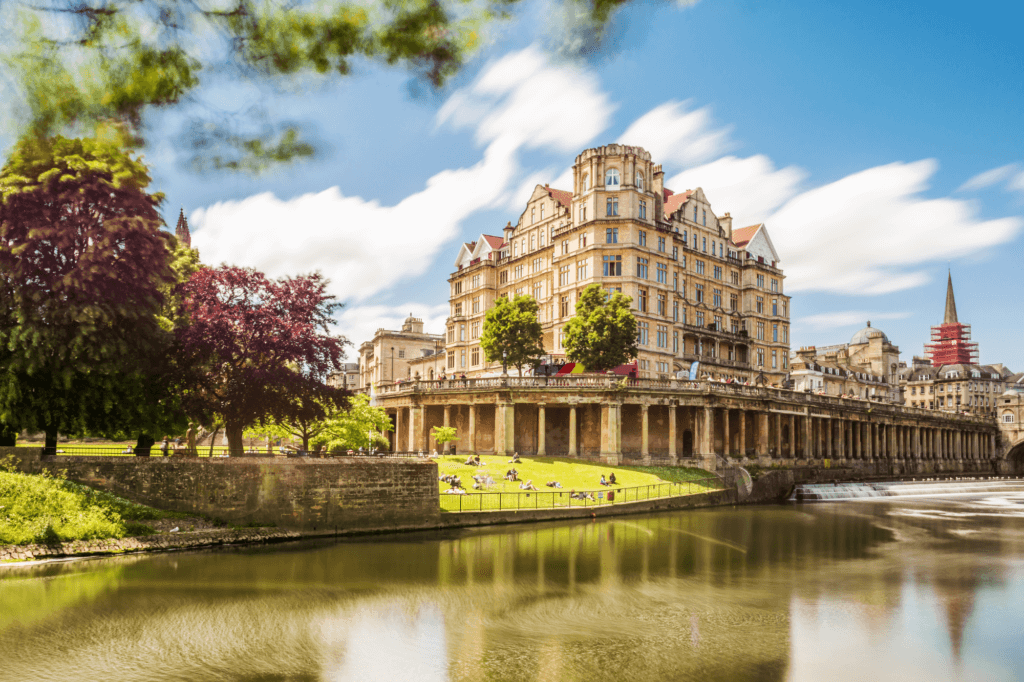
[520, 102]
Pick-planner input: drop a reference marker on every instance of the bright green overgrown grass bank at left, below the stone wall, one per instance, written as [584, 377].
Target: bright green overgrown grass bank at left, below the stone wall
[47, 509]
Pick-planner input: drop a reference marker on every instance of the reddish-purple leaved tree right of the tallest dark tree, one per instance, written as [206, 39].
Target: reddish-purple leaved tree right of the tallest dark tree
[255, 349]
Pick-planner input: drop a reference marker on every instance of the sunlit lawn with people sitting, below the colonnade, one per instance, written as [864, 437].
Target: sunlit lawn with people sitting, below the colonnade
[632, 484]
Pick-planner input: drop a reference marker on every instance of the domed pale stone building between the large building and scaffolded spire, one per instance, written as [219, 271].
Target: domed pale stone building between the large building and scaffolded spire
[866, 368]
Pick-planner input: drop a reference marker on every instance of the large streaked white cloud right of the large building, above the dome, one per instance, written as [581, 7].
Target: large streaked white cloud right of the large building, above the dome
[866, 233]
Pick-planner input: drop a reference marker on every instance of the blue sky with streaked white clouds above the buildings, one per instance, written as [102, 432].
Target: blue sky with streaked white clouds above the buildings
[880, 143]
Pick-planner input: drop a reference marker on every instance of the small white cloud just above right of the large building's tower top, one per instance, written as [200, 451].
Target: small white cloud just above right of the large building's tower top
[678, 138]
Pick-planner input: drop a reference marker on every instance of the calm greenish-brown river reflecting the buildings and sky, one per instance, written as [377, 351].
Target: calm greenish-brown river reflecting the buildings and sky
[925, 589]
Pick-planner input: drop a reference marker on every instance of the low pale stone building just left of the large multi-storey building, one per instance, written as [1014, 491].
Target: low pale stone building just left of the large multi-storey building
[391, 356]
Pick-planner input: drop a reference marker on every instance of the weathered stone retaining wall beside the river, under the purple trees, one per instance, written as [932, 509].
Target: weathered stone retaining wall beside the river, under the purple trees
[309, 495]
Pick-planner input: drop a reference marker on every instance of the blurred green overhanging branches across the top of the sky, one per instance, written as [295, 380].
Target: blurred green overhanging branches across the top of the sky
[81, 64]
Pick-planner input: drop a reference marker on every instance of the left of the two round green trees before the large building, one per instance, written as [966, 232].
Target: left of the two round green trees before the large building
[513, 328]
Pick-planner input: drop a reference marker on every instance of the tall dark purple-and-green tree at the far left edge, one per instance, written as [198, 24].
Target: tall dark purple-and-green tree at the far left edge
[83, 271]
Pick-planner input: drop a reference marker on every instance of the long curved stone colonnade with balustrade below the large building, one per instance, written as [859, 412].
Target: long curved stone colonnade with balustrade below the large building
[693, 423]
